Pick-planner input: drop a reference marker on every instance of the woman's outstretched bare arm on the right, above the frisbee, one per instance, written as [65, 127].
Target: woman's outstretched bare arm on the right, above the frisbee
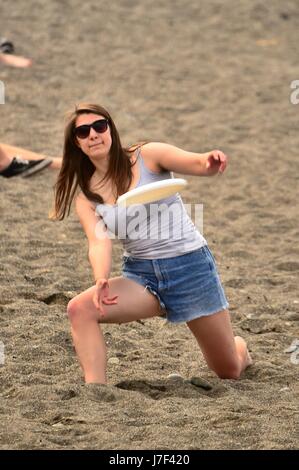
[169, 157]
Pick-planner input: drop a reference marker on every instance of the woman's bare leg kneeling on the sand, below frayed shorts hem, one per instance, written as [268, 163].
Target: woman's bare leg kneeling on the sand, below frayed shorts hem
[225, 354]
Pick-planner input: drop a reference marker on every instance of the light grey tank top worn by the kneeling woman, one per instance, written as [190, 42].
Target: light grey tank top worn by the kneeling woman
[155, 230]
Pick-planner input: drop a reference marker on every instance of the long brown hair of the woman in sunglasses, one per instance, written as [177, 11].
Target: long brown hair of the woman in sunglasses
[77, 169]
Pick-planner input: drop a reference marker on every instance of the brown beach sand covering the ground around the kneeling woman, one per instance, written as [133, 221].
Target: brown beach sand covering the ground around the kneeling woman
[200, 75]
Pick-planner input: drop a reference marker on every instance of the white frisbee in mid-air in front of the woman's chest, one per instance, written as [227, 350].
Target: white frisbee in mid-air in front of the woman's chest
[152, 192]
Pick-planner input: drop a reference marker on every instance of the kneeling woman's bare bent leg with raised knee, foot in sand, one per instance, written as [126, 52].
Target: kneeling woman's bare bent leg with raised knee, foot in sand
[134, 303]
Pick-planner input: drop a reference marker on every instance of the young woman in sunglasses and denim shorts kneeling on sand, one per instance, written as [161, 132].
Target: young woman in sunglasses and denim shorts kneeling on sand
[162, 275]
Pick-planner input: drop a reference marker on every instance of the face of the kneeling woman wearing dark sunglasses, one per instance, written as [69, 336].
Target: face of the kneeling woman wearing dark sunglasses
[98, 143]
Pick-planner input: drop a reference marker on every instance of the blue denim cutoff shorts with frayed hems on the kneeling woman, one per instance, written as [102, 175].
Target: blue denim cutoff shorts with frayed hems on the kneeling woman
[187, 286]
